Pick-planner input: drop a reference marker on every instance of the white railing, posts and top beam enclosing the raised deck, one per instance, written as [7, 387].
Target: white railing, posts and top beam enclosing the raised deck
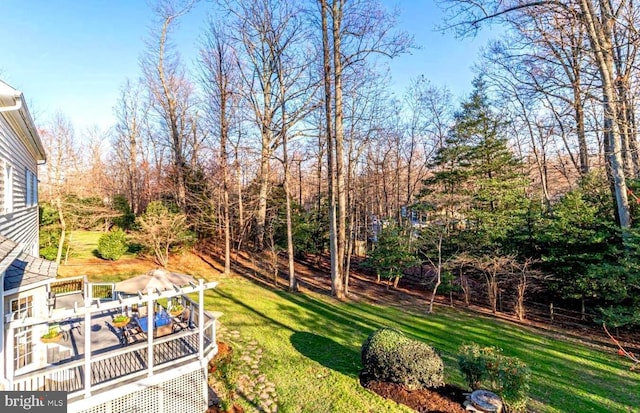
[94, 371]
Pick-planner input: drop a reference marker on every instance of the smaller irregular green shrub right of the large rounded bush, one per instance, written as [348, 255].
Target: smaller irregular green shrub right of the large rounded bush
[488, 368]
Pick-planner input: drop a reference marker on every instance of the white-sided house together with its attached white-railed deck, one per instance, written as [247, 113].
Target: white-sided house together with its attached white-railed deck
[63, 335]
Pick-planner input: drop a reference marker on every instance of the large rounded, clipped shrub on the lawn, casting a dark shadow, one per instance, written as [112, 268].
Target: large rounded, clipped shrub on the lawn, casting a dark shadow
[388, 355]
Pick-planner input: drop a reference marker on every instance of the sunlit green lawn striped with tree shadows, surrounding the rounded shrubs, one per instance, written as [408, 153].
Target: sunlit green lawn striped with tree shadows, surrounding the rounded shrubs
[311, 349]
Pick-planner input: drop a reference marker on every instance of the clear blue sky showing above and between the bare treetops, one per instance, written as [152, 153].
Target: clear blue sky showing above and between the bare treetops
[73, 56]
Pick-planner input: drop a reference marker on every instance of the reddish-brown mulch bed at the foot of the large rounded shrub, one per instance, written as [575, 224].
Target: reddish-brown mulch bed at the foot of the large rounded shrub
[446, 399]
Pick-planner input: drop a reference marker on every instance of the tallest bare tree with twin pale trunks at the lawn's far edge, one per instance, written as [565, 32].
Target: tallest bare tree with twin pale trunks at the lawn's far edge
[351, 32]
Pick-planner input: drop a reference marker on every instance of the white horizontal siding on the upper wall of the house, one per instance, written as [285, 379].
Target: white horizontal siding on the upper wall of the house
[20, 225]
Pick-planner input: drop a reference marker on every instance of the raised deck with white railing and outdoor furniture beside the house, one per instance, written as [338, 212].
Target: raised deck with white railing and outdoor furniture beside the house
[95, 357]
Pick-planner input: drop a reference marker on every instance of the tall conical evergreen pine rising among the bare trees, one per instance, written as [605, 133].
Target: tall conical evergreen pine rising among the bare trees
[478, 182]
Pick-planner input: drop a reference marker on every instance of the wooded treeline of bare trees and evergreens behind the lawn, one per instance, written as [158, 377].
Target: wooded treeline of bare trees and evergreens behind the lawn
[284, 137]
